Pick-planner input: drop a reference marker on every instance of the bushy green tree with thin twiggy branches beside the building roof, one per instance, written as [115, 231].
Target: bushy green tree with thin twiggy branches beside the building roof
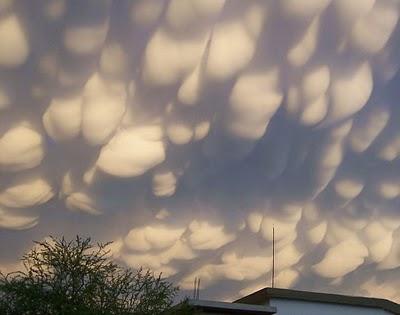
[79, 277]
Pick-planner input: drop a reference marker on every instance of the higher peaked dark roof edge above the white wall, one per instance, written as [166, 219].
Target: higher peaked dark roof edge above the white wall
[265, 294]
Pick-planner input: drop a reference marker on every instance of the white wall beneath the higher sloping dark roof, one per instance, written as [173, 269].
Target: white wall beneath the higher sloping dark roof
[293, 307]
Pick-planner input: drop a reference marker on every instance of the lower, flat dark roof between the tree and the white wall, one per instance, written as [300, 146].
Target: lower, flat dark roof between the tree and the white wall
[232, 308]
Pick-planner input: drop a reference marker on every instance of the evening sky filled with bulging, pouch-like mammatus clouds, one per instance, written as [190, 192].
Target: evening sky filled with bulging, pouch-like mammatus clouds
[186, 130]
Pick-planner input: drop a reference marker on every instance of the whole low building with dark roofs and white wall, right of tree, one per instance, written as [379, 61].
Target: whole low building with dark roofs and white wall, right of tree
[293, 302]
